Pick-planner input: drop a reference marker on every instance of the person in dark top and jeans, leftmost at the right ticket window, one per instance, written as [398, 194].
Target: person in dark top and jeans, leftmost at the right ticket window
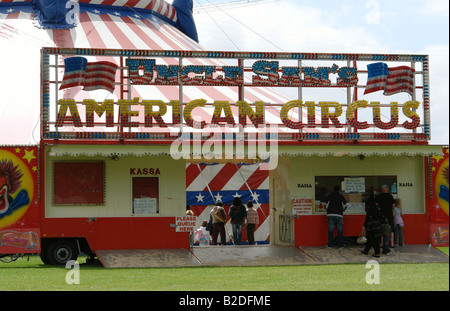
[336, 206]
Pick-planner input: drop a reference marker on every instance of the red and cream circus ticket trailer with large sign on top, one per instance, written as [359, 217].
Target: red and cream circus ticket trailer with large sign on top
[114, 173]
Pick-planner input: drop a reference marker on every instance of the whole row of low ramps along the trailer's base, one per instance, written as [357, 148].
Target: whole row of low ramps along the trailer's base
[266, 255]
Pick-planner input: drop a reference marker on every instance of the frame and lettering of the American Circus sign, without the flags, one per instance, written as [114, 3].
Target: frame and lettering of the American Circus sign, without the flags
[266, 70]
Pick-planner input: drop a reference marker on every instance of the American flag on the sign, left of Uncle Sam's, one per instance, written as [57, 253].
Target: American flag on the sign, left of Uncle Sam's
[91, 75]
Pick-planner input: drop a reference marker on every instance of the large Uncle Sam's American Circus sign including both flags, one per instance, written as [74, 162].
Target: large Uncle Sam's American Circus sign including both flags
[143, 94]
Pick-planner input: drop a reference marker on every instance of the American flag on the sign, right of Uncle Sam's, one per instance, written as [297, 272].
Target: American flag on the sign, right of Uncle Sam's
[390, 80]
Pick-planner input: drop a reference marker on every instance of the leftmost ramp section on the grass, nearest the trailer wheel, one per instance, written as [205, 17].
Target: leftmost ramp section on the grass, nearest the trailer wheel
[147, 258]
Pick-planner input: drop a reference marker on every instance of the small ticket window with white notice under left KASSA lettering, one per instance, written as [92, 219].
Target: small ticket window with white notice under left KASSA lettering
[145, 195]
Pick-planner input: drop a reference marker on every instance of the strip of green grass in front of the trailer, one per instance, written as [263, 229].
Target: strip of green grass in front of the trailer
[32, 275]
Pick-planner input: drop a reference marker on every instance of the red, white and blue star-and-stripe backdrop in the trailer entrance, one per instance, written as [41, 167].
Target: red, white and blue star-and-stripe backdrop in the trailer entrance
[207, 183]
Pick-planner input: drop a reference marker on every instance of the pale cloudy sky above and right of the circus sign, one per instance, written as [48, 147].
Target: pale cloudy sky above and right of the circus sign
[367, 26]
